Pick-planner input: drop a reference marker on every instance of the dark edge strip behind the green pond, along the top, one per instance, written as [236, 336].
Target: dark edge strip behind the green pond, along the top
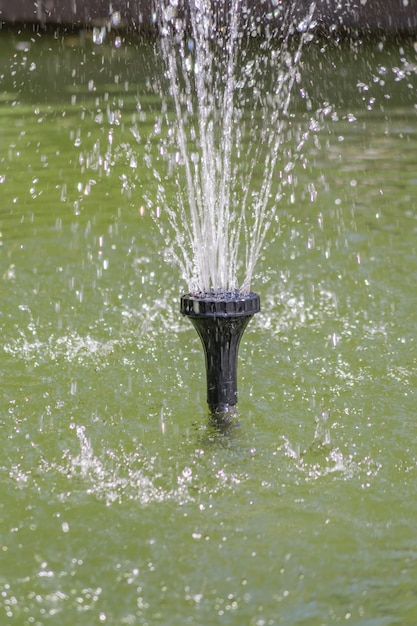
[372, 16]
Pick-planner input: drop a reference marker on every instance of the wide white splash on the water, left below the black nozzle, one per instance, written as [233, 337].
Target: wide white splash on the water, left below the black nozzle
[114, 476]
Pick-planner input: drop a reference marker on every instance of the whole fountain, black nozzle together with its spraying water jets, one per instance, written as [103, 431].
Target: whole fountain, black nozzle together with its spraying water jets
[210, 71]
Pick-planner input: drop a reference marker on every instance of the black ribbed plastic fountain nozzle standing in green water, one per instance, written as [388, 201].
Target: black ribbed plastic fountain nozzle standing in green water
[220, 322]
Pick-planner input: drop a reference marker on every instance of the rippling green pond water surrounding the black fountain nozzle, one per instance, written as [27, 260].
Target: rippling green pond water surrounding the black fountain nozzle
[119, 503]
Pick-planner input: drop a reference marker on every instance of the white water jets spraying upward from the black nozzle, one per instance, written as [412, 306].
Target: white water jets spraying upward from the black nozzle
[231, 116]
